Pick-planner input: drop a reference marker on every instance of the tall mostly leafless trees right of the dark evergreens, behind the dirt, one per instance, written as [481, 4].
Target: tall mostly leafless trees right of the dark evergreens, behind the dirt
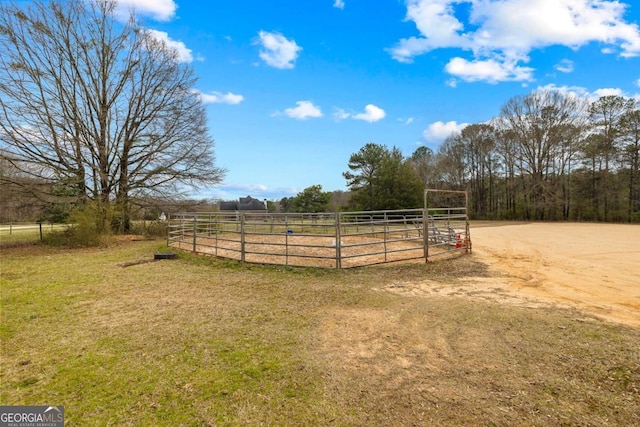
[550, 156]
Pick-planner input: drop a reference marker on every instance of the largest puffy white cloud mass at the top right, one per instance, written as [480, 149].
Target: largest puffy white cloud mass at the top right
[500, 34]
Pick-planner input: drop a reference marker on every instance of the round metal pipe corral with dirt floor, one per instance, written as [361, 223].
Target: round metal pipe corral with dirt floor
[330, 240]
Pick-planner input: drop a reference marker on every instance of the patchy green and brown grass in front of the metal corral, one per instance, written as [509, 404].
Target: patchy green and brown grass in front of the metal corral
[122, 341]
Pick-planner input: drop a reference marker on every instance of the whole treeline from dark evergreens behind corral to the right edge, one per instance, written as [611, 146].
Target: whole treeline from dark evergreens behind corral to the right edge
[549, 155]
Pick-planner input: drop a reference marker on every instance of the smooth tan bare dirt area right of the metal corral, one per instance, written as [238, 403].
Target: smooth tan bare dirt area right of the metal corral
[594, 267]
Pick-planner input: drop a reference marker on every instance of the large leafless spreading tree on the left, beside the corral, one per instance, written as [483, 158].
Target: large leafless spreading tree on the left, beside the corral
[99, 104]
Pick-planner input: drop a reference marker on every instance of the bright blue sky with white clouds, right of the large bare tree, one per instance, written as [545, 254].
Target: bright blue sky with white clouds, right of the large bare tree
[293, 88]
